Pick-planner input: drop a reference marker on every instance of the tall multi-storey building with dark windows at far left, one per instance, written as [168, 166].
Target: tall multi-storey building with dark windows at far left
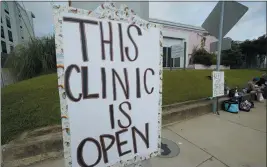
[16, 25]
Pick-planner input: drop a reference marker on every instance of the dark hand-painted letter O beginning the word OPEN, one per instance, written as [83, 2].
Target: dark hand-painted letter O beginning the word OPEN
[80, 159]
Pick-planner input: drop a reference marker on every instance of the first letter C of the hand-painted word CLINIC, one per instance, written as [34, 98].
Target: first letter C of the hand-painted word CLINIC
[67, 84]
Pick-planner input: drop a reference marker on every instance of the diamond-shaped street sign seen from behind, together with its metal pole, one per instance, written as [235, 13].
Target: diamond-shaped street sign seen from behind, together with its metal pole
[219, 22]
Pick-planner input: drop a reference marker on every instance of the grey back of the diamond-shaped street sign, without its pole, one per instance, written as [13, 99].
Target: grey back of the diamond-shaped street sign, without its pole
[233, 11]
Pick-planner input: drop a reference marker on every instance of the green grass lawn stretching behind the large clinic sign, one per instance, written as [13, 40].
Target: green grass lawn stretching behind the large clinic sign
[35, 103]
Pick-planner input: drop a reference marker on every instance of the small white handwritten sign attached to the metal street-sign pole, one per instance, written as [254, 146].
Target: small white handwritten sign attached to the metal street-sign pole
[217, 83]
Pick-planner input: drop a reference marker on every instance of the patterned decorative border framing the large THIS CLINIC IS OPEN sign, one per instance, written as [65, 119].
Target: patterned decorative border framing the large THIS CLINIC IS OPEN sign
[130, 17]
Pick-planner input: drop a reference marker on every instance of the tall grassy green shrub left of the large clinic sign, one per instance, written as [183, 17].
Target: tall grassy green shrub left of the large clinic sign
[34, 58]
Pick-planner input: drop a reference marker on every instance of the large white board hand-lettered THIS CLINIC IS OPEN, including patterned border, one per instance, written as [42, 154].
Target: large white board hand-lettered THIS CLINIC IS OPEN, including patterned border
[109, 87]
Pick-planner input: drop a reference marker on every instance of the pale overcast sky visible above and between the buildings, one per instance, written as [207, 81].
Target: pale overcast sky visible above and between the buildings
[250, 26]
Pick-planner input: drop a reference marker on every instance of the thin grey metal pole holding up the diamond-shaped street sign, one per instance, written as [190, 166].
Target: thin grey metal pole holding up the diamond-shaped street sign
[215, 101]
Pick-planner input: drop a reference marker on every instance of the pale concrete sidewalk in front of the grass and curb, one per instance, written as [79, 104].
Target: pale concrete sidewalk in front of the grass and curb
[234, 140]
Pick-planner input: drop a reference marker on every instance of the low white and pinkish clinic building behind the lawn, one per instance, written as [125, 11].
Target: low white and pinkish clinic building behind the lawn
[178, 34]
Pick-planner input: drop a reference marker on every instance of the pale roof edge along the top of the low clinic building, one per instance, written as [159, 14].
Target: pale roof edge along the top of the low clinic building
[179, 25]
